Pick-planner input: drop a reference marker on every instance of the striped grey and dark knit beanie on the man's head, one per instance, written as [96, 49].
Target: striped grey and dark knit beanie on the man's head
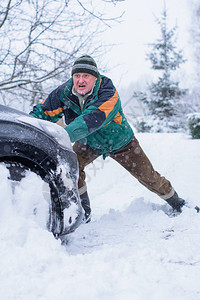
[85, 64]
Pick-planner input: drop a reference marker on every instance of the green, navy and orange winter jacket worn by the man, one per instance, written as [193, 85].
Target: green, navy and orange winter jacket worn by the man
[101, 124]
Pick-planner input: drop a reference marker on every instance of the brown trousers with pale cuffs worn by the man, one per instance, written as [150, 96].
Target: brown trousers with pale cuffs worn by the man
[134, 160]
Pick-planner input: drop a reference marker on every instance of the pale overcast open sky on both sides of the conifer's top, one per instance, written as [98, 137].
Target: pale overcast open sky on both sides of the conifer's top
[137, 30]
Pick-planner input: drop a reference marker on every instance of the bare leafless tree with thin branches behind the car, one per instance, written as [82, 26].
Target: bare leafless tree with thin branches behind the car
[39, 40]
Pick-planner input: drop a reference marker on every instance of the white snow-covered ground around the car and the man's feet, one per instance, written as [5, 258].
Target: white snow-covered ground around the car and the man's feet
[130, 251]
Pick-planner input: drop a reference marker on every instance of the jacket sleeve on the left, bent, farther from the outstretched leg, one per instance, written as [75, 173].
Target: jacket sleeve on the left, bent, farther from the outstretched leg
[50, 109]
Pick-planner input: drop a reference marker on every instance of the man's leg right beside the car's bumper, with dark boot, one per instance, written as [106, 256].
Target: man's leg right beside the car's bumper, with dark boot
[85, 156]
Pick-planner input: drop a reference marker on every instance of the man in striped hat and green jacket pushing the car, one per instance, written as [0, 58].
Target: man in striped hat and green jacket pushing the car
[95, 121]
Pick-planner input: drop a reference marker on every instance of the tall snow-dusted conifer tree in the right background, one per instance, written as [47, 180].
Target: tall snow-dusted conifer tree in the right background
[164, 58]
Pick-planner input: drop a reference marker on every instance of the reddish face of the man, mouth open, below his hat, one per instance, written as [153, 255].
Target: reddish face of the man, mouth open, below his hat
[83, 82]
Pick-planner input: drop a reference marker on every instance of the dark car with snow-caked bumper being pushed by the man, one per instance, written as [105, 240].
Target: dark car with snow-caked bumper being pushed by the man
[27, 143]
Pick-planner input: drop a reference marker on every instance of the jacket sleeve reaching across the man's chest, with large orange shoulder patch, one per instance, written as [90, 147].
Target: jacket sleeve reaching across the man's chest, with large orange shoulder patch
[98, 114]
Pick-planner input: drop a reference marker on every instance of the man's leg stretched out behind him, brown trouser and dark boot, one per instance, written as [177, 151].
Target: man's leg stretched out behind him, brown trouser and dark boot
[133, 159]
